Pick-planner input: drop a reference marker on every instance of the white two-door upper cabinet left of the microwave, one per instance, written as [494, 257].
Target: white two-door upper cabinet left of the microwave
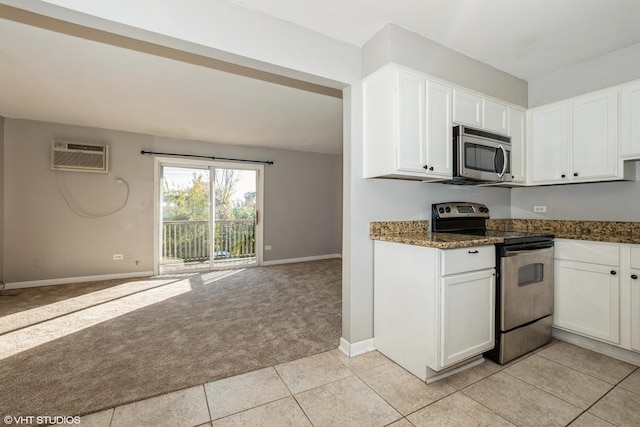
[407, 126]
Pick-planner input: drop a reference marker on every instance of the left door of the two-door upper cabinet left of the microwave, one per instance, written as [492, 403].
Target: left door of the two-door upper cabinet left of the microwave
[411, 142]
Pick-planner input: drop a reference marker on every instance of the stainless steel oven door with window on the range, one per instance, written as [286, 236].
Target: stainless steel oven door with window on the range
[526, 285]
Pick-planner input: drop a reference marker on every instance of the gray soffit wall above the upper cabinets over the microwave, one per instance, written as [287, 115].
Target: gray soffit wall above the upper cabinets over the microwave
[398, 45]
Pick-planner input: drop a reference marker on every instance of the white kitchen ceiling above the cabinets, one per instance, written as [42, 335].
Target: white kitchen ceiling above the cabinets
[525, 38]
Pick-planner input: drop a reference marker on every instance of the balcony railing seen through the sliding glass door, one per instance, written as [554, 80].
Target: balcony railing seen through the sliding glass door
[188, 241]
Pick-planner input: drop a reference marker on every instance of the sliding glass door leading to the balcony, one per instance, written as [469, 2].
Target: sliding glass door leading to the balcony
[209, 216]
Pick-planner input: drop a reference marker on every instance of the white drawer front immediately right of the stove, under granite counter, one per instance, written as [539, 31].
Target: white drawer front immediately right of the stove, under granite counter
[589, 252]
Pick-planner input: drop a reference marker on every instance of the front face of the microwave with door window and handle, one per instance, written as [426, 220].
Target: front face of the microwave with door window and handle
[483, 160]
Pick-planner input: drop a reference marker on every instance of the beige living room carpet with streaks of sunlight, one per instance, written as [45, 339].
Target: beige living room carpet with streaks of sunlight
[77, 349]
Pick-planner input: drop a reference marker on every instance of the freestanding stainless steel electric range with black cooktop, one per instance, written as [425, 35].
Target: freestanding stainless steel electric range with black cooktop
[524, 285]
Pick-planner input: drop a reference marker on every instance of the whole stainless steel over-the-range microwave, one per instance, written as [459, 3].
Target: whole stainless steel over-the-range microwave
[480, 157]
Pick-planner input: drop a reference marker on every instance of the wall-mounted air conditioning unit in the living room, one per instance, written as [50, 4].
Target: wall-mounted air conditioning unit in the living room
[79, 157]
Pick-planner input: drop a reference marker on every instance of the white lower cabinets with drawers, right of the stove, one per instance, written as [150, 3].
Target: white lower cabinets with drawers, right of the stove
[597, 291]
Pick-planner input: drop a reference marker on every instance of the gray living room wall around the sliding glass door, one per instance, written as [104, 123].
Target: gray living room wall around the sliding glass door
[301, 216]
